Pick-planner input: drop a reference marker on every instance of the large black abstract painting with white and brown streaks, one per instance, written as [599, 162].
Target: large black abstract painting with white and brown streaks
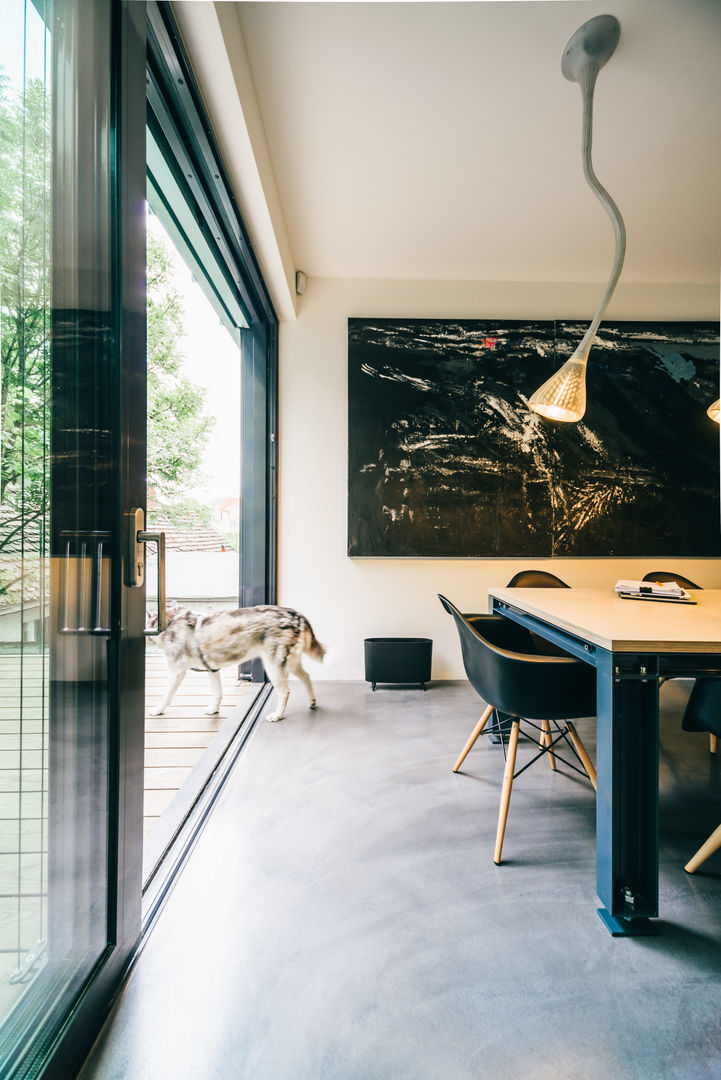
[446, 460]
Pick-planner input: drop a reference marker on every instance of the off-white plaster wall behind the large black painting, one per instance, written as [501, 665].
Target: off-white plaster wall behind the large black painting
[349, 600]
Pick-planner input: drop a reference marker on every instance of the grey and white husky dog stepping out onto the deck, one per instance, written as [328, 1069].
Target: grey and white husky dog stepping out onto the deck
[280, 637]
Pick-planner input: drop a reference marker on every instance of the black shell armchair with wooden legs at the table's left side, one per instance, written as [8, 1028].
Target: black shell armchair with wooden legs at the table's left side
[506, 670]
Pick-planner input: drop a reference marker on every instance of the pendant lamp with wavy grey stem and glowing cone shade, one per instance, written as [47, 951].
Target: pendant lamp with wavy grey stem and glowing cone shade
[564, 396]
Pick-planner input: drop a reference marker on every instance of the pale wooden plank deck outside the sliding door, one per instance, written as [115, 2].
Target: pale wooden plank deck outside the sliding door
[175, 745]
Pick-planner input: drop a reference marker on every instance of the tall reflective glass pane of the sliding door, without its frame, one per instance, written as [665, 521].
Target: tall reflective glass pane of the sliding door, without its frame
[57, 514]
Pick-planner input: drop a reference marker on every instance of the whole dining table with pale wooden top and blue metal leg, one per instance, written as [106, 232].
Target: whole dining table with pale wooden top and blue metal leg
[634, 645]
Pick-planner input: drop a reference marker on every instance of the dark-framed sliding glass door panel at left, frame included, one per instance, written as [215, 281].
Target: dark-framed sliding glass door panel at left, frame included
[72, 465]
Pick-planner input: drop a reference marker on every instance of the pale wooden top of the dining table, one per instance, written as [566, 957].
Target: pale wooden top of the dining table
[625, 626]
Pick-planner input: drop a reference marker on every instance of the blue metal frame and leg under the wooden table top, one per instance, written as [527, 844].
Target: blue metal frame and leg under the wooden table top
[628, 766]
